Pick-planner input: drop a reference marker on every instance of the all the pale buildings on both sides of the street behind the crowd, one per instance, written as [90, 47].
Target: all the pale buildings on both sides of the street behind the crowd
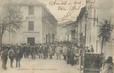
[40, 26]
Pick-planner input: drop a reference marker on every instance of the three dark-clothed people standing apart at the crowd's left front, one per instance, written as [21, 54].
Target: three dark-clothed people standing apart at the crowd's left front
[11, 52]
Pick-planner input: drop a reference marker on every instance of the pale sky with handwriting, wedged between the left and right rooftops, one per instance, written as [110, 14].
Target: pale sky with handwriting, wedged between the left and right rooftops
[59, 14]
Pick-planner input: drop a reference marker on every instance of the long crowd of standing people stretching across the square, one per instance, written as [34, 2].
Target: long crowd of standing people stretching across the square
[59, 51]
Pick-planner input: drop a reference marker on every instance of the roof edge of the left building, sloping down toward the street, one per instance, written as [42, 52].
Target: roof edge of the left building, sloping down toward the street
[27, 3]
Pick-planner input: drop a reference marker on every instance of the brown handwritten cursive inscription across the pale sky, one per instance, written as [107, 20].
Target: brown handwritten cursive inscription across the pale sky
[70, 6]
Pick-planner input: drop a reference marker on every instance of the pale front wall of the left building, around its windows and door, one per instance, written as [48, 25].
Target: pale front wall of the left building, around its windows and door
[20, 36]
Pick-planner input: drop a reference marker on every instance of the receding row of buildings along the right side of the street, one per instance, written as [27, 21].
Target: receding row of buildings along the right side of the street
[85, 30]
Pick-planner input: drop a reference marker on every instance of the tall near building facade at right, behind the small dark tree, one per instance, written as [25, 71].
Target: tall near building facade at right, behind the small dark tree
[88, 22]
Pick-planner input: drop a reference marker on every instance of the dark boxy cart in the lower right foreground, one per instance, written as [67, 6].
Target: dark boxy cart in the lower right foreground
[92, 63]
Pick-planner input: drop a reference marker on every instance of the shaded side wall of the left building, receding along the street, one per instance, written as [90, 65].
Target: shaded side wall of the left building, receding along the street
[48, 26]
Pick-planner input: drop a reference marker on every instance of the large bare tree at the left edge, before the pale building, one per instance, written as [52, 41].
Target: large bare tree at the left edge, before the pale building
[10, 19]
